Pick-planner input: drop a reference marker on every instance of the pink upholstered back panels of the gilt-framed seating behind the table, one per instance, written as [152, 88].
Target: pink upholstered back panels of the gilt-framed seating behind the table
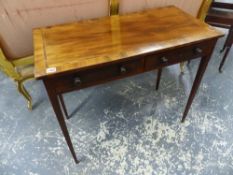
[19, 17]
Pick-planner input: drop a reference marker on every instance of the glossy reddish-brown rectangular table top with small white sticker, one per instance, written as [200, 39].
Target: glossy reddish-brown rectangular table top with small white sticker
[77, 46]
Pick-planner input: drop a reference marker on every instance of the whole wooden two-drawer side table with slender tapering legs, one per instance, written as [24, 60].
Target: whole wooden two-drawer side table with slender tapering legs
[98, 51]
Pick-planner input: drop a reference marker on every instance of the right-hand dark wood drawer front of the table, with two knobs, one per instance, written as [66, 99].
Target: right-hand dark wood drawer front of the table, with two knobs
[175, 56]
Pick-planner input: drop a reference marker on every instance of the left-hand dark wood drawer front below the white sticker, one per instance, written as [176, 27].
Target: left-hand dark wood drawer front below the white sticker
[96, 76]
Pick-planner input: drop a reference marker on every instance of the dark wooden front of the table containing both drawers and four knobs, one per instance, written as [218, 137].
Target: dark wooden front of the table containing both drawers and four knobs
[103, 74]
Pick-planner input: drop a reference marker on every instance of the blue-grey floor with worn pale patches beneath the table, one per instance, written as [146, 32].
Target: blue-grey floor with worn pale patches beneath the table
[124, 127]
